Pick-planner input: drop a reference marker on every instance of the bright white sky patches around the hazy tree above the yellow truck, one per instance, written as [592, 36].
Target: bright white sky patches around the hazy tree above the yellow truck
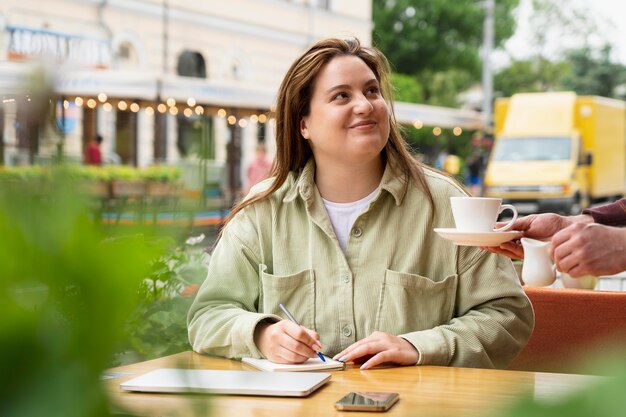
[610, 16]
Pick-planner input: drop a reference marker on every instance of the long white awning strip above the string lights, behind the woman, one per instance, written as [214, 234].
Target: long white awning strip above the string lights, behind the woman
[141, 85]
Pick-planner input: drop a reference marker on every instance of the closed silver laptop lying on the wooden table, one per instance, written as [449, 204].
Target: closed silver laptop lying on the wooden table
[278, 384]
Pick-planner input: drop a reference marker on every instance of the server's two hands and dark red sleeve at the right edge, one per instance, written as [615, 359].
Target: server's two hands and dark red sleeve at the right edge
[592, 243]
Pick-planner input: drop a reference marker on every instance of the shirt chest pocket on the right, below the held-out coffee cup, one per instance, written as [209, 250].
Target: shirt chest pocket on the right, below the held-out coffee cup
[410, 302]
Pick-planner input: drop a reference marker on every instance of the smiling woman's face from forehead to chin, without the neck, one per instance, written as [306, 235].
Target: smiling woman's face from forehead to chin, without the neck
[348, 120]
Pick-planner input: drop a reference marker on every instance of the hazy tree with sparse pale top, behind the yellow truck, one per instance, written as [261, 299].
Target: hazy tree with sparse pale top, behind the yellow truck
[580, 63]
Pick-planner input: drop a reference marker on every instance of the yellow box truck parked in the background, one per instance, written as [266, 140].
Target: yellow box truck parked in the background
[557, 152]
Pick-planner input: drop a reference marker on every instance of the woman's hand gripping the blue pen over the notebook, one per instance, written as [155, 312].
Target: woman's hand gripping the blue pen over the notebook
[286, 342]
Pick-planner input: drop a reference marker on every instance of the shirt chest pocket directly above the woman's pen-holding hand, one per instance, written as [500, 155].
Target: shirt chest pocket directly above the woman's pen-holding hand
[296, 292]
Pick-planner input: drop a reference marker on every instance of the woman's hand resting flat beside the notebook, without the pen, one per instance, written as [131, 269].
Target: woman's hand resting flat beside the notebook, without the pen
[382, 347]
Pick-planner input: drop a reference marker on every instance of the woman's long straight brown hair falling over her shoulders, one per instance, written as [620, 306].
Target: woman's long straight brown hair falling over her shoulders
[294, 98]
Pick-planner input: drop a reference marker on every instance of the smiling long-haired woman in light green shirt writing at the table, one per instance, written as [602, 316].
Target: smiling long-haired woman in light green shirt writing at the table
[342, 235]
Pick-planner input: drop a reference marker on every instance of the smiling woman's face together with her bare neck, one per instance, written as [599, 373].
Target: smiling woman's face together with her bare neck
[347, 128]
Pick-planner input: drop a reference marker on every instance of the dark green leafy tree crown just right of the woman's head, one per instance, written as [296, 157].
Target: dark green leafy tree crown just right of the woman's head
[436, 35]
